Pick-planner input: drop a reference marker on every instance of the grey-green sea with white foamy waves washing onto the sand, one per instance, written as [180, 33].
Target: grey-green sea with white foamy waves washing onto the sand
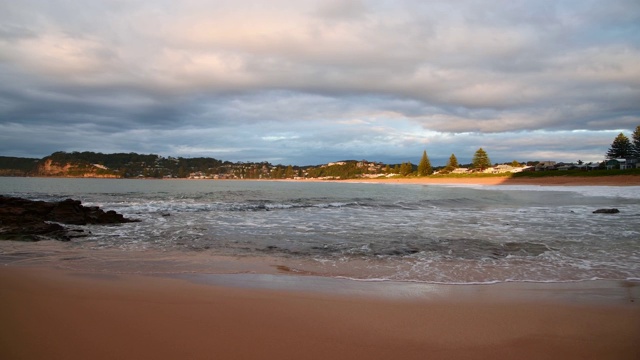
[364, 231]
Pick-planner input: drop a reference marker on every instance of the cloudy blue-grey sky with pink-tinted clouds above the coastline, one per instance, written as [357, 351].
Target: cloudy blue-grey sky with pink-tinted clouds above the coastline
[309, 82]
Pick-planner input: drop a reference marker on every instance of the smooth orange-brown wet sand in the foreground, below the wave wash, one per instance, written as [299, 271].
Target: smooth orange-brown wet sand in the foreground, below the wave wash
[55, 314]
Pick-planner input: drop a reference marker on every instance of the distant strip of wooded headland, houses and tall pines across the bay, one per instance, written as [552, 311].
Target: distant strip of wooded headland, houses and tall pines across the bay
[623, 154]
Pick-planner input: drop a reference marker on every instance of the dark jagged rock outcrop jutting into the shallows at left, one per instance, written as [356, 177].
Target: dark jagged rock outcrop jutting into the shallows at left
[29, 220]
